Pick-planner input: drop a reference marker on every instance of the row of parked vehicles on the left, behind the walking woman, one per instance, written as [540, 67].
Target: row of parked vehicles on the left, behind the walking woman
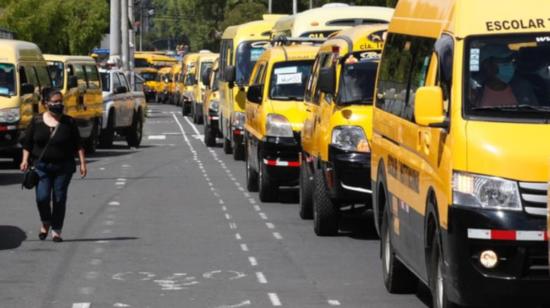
[102, 102]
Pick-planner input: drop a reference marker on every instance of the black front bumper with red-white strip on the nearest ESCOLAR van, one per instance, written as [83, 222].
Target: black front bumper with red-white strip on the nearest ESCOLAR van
[519, 241]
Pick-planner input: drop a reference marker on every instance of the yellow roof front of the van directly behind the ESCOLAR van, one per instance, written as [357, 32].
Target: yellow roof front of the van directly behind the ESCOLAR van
[360, 38]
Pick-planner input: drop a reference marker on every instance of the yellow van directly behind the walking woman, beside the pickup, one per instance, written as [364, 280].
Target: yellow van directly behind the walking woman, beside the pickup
[77, 77]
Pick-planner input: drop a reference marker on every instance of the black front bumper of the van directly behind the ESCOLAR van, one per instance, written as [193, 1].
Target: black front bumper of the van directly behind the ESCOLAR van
[347, 176]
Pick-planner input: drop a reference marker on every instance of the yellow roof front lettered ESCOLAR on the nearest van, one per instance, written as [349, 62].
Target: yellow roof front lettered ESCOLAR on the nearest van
[429, 18]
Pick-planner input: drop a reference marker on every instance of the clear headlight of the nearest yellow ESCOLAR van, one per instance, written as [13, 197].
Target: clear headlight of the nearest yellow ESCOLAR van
[485, 192]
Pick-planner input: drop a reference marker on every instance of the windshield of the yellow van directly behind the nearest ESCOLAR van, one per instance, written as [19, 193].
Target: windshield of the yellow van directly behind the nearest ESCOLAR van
[358, 78]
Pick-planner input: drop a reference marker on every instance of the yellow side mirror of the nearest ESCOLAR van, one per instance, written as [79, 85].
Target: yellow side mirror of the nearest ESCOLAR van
[428, 107]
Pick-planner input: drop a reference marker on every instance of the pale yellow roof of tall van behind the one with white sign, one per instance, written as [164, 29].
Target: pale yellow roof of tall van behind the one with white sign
[254, 30]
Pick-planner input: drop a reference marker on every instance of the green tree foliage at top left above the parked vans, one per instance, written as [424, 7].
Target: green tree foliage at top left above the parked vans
[57, 26]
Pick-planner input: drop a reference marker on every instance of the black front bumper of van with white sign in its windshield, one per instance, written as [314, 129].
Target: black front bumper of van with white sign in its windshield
[281, 156]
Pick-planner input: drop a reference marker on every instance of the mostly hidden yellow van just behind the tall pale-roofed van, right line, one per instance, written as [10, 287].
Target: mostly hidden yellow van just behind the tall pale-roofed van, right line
[211, 106]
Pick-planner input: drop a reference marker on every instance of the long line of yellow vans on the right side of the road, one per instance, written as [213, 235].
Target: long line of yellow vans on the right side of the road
[427, 121]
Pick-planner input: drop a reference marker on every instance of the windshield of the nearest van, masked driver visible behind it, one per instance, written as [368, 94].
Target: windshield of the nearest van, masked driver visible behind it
[508, 77]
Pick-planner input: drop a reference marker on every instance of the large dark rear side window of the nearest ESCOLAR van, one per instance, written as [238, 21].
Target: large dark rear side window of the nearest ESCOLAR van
[404, 67]
